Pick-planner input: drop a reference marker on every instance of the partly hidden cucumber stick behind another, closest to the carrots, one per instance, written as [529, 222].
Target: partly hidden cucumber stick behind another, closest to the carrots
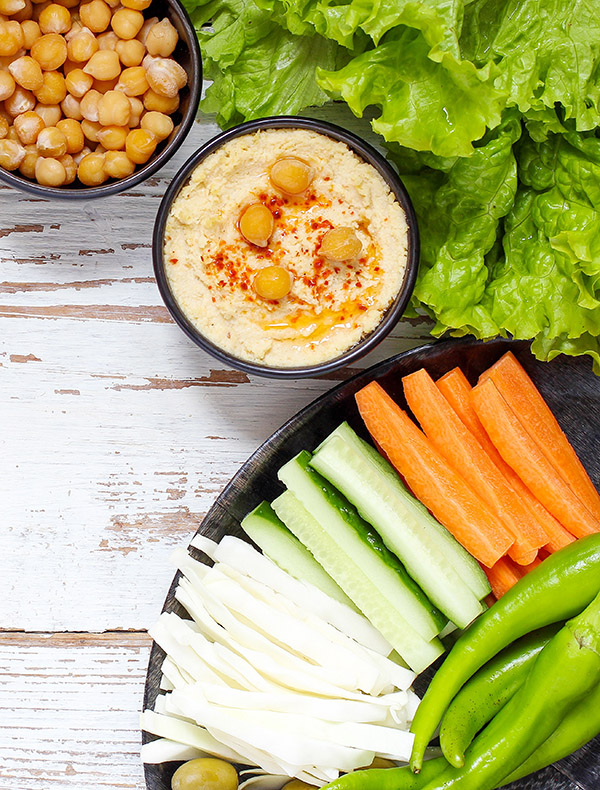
[465, 566]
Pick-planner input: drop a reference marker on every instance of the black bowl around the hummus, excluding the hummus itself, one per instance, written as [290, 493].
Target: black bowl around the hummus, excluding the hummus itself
[392, 314]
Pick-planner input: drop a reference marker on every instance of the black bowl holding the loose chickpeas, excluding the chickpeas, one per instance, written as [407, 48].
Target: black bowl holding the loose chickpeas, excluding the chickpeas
[187, 53]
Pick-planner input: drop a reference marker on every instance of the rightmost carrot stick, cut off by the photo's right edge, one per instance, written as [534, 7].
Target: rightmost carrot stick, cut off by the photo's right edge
[525, 400]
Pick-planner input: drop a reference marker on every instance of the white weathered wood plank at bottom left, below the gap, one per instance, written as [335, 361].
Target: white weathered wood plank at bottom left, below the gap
[69, 707]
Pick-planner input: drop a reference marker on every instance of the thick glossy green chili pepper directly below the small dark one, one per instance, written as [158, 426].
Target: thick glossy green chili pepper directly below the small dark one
[565, 671]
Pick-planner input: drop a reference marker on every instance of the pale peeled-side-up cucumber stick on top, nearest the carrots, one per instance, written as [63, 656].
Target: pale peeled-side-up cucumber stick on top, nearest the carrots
[401, 526]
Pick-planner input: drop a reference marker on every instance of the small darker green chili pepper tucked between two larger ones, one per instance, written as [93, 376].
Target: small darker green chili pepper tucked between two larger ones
[486, 692]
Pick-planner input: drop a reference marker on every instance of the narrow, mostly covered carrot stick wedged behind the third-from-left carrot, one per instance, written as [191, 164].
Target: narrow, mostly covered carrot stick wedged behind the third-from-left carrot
[455, 386]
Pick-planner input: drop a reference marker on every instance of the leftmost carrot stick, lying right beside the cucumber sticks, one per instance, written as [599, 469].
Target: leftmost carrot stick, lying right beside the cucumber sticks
[430, 477]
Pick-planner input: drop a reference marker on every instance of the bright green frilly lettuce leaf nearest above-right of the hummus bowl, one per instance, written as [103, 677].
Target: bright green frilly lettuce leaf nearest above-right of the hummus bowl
[439, 107]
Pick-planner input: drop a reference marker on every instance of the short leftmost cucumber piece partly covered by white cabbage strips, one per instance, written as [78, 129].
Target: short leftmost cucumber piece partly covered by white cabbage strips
[285, 550]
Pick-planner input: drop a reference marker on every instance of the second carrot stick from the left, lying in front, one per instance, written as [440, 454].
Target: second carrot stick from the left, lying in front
[466, 456]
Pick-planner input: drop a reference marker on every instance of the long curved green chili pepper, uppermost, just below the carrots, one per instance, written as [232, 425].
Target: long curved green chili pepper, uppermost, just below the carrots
[558, 588]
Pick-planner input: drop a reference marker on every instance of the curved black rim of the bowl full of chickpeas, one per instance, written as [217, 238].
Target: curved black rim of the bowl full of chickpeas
[113, 188]
